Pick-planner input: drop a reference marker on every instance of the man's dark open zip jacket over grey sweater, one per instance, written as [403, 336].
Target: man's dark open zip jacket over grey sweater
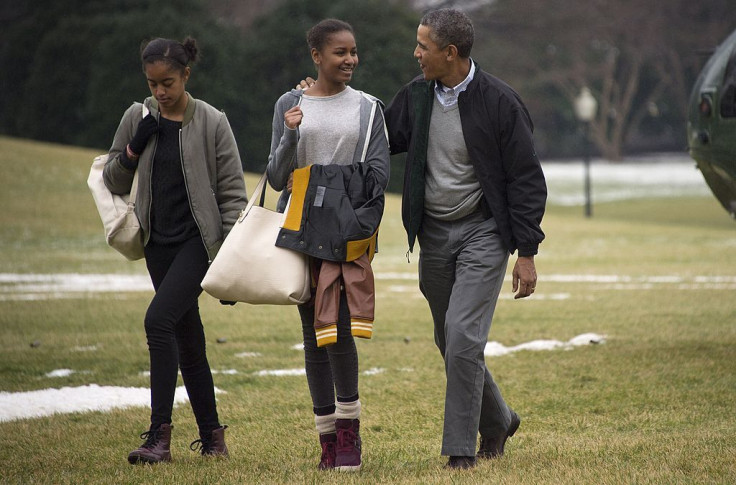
[498, 134]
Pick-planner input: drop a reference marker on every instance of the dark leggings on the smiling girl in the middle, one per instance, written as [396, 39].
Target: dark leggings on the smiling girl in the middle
[331, 369]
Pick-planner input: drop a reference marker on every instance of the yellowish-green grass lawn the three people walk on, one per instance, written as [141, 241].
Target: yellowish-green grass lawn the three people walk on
[653, 404]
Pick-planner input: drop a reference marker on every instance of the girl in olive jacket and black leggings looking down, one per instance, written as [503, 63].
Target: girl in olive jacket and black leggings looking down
[190, 191]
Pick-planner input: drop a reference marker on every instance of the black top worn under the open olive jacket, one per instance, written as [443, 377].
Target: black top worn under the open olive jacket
[171, 216]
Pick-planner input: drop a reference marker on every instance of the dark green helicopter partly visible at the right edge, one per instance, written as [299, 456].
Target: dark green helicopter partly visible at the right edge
[712, 123]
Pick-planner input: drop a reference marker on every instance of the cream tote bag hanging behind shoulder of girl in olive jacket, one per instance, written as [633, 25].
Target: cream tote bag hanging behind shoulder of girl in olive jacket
[122, 228]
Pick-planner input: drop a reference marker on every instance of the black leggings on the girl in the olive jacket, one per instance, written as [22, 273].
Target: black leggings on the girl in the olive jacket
[175, 334]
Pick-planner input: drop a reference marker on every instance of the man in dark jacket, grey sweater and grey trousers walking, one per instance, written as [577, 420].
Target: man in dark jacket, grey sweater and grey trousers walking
[474, 192]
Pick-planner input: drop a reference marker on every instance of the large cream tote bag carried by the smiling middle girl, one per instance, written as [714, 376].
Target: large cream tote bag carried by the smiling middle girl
[250, 268]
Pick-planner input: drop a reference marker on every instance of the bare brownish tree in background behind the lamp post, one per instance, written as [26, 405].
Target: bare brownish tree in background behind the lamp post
[633, 55]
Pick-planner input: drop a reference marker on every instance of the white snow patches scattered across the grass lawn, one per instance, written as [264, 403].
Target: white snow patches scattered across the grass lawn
[657, 176]
